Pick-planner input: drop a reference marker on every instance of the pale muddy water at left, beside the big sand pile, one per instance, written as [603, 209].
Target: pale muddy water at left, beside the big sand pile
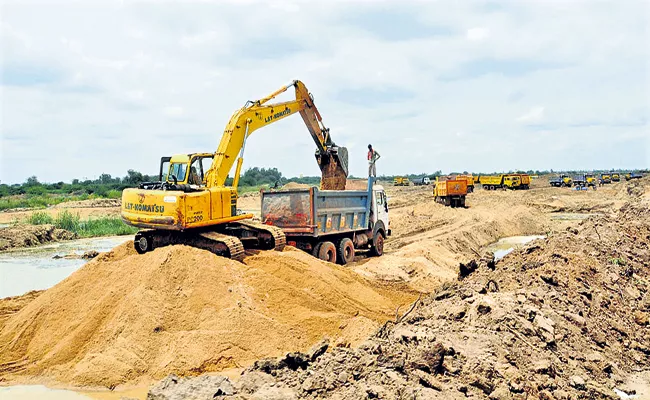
[35, 268]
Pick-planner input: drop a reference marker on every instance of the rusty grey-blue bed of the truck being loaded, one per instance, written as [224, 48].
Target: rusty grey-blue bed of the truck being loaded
[314, 212]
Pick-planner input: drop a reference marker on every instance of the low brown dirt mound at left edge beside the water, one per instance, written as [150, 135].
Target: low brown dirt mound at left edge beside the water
[31, 235]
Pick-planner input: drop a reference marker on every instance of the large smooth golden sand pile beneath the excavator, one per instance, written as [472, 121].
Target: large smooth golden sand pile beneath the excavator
[178, 309]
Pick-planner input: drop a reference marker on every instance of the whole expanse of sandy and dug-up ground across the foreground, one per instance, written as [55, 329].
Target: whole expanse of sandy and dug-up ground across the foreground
[575, 302]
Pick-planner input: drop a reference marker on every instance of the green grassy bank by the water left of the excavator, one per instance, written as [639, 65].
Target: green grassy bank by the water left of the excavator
[101, 226]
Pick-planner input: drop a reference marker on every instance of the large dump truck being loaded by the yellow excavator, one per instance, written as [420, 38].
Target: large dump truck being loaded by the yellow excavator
[330, 224]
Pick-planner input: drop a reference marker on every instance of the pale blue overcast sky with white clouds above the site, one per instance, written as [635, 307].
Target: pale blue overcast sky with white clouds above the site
[105, 86]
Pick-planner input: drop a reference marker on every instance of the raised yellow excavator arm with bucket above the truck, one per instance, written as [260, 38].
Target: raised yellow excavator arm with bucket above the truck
[332, 160]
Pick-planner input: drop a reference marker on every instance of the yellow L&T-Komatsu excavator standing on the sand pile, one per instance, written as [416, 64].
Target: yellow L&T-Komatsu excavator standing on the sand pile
[191, 203]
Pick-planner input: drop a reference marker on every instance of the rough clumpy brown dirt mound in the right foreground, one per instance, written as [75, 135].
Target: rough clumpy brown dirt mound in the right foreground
[563, 318]
